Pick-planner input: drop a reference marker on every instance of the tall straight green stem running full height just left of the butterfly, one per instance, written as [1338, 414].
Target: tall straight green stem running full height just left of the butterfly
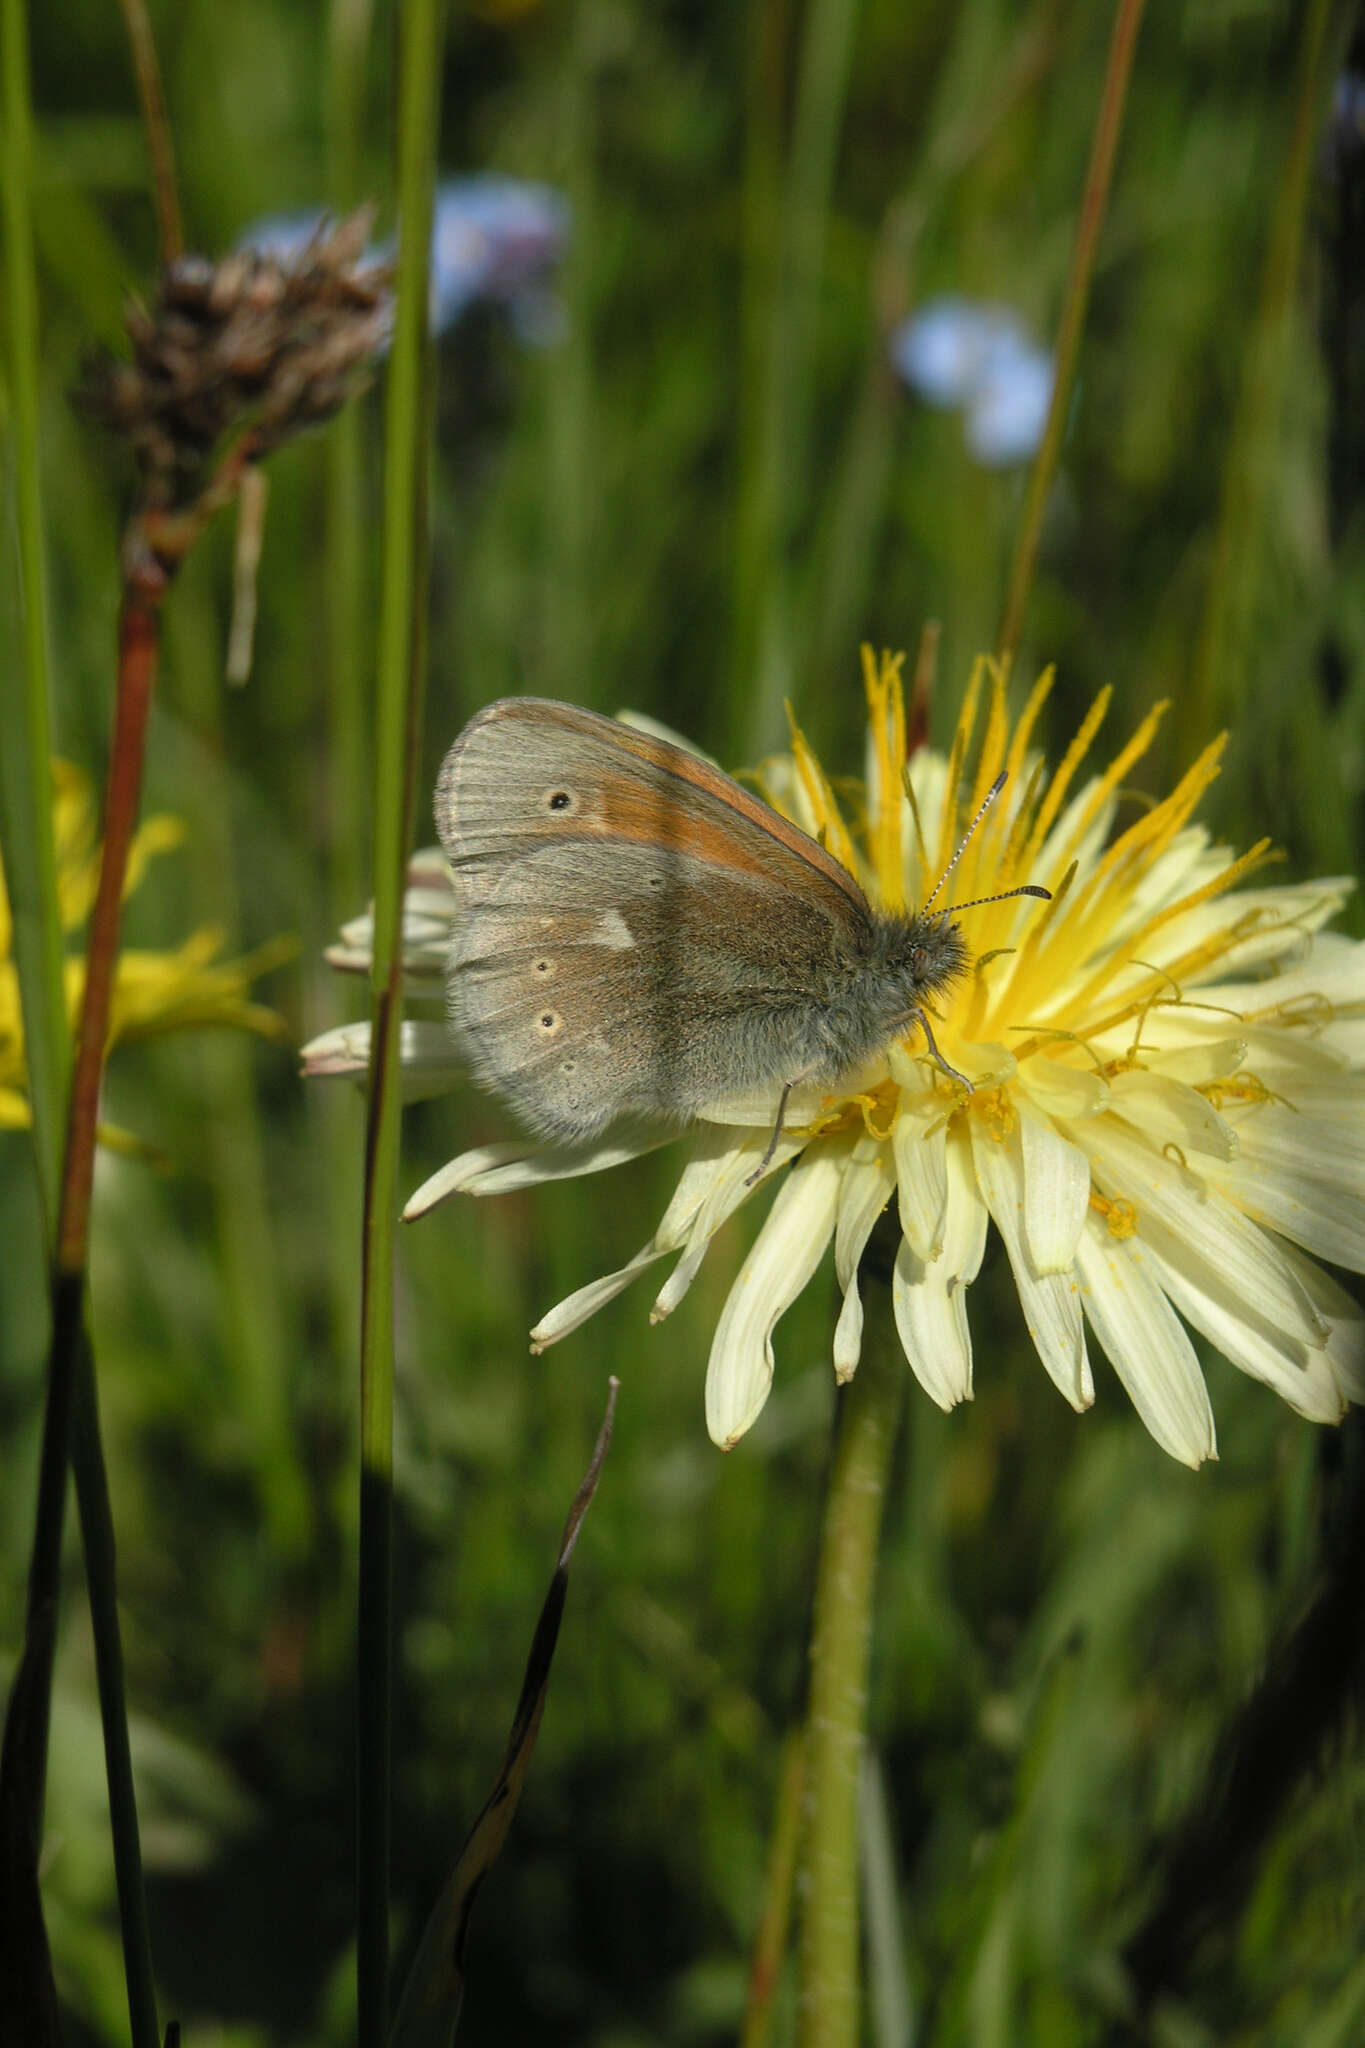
[398, 734]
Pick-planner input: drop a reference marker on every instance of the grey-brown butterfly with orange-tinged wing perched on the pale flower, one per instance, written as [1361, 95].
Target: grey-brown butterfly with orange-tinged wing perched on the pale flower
[640, 937]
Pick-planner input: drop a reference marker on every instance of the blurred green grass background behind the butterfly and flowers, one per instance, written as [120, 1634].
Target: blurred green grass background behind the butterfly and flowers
[697, 501]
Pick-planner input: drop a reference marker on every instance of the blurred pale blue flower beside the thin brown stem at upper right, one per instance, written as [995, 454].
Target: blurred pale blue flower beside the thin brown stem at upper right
[961, 353]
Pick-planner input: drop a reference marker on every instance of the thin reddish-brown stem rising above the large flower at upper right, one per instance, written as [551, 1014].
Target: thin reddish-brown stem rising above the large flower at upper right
[1094, 204]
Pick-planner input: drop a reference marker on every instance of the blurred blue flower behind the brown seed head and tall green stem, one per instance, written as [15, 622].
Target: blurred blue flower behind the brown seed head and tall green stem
[494, 243]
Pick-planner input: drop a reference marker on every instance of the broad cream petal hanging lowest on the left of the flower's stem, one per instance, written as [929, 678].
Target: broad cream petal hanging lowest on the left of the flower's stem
[785, 1254]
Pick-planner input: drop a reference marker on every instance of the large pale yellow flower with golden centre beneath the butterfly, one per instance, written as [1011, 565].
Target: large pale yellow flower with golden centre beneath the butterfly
[1163, 1119]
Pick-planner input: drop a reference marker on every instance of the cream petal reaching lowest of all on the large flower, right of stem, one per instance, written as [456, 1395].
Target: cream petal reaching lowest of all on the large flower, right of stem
[1147, 1345]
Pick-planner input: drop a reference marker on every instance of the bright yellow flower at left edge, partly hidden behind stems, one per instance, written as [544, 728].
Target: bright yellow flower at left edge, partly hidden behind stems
[155, 992]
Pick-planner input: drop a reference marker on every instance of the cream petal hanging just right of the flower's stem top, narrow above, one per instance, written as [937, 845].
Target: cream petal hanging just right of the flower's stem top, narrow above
[930, 1302]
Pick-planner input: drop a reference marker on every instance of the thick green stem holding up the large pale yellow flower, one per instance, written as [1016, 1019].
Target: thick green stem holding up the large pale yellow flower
[840, 1648]
